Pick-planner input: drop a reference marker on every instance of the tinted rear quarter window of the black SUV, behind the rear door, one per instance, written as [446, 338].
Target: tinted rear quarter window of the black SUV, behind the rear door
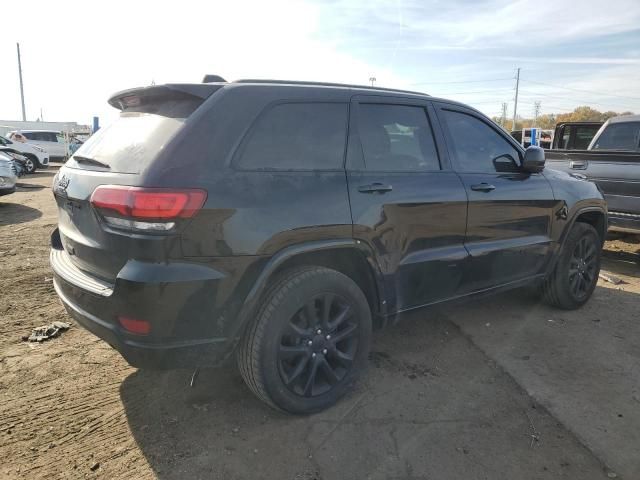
[296, 136]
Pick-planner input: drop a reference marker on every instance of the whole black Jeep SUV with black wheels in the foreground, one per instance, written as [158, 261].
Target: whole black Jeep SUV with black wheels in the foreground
[282, 221]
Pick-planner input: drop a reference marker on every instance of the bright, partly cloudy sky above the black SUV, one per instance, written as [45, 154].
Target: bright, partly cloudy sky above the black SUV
[75, 54]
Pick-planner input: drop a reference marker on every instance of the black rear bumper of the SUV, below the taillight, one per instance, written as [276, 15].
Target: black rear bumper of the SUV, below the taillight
[191, 319]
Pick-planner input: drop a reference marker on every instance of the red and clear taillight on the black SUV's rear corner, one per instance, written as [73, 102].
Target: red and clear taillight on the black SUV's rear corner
[146, 208]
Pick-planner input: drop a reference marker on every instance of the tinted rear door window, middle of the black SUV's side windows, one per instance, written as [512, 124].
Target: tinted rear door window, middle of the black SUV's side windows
[396, 138]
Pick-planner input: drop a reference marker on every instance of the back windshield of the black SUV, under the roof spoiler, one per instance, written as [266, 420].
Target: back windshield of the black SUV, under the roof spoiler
[130, 143]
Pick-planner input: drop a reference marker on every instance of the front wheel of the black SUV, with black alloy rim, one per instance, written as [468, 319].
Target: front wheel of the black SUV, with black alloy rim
[575, 275]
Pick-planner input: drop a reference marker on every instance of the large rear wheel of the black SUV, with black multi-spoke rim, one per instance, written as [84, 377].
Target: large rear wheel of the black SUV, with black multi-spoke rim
[309, 341]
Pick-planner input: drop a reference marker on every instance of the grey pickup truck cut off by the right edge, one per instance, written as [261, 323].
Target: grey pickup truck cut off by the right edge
[612, 161]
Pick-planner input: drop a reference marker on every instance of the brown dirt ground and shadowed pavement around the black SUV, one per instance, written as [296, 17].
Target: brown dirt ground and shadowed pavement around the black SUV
[499, 388]
